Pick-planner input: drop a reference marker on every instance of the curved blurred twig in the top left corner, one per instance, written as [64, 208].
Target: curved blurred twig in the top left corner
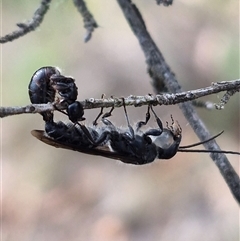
[30, 25]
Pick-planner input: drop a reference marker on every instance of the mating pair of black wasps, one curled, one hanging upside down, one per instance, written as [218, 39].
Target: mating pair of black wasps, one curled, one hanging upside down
[131, 145]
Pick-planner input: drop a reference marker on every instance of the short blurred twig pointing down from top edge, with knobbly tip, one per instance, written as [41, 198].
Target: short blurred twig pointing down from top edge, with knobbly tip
[89, 22]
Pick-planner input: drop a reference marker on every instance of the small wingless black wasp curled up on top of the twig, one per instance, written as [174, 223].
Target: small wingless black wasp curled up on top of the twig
[48, 85]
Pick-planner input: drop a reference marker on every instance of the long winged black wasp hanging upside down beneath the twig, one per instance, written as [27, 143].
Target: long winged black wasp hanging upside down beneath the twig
[129, 146]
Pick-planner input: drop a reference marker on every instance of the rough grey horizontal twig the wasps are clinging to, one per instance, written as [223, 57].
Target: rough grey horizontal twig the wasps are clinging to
[162, 99]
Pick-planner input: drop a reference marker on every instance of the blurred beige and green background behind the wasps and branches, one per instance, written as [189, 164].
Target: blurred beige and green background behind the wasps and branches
[54, 194]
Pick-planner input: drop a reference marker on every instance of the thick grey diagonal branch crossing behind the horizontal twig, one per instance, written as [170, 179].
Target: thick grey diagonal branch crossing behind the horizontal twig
[159, 70]
